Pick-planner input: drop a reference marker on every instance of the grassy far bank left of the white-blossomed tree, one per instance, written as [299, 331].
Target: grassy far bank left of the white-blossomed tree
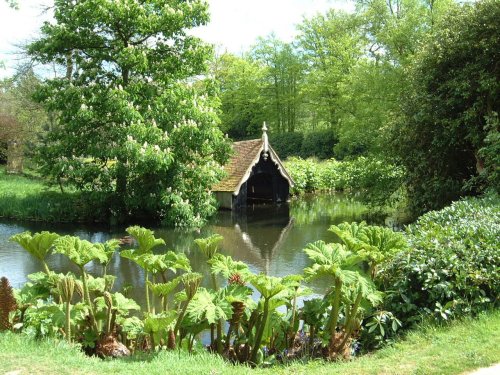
[26, 197]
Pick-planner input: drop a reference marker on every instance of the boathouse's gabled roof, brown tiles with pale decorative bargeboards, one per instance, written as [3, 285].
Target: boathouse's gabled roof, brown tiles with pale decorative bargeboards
[245, 155]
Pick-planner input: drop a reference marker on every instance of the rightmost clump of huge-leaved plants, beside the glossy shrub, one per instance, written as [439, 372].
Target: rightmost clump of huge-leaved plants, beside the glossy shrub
[354, 294]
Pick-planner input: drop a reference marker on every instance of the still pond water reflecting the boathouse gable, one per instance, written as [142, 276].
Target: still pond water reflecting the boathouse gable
[268, 238]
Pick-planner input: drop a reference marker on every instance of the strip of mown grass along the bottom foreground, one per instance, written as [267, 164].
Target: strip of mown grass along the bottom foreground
[452, 349]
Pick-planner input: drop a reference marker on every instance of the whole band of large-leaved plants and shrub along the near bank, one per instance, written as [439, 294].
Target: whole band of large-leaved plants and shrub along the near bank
[445, 266]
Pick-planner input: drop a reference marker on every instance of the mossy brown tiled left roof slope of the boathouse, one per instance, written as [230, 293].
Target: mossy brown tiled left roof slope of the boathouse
[246, 154]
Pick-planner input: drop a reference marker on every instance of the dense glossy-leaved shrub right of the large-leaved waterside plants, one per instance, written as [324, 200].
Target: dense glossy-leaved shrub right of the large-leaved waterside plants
[451, 265]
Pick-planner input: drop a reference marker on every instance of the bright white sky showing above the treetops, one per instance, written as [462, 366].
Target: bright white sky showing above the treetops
[234, 26]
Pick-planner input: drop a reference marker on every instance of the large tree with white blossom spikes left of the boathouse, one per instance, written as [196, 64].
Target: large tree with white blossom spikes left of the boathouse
[130, 123]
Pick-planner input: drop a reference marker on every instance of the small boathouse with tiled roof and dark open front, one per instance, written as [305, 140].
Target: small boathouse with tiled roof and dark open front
[254, 174]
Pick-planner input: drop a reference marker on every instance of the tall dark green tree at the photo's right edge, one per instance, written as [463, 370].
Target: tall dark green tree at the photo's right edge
[446, 137]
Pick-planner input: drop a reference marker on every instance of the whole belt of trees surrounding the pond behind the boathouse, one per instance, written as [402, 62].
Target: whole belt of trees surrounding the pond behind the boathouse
[138, 108]
